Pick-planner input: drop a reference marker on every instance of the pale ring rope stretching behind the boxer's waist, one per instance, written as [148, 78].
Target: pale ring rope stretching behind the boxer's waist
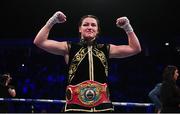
[148, 107]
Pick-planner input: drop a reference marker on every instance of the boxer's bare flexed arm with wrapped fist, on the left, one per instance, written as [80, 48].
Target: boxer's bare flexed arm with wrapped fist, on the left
[41, 40]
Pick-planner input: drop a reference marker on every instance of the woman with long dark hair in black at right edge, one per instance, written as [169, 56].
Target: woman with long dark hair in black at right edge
[170, 92]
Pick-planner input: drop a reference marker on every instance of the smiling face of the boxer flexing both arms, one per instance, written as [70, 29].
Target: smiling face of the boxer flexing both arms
[89, 28]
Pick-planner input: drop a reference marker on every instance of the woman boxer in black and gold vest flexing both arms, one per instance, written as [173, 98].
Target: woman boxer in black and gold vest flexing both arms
[87, 90]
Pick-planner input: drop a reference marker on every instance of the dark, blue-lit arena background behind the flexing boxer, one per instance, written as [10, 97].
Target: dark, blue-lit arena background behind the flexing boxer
[38, 74]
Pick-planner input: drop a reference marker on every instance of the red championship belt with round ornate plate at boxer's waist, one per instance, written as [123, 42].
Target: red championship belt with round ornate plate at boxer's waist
[88, 93]
